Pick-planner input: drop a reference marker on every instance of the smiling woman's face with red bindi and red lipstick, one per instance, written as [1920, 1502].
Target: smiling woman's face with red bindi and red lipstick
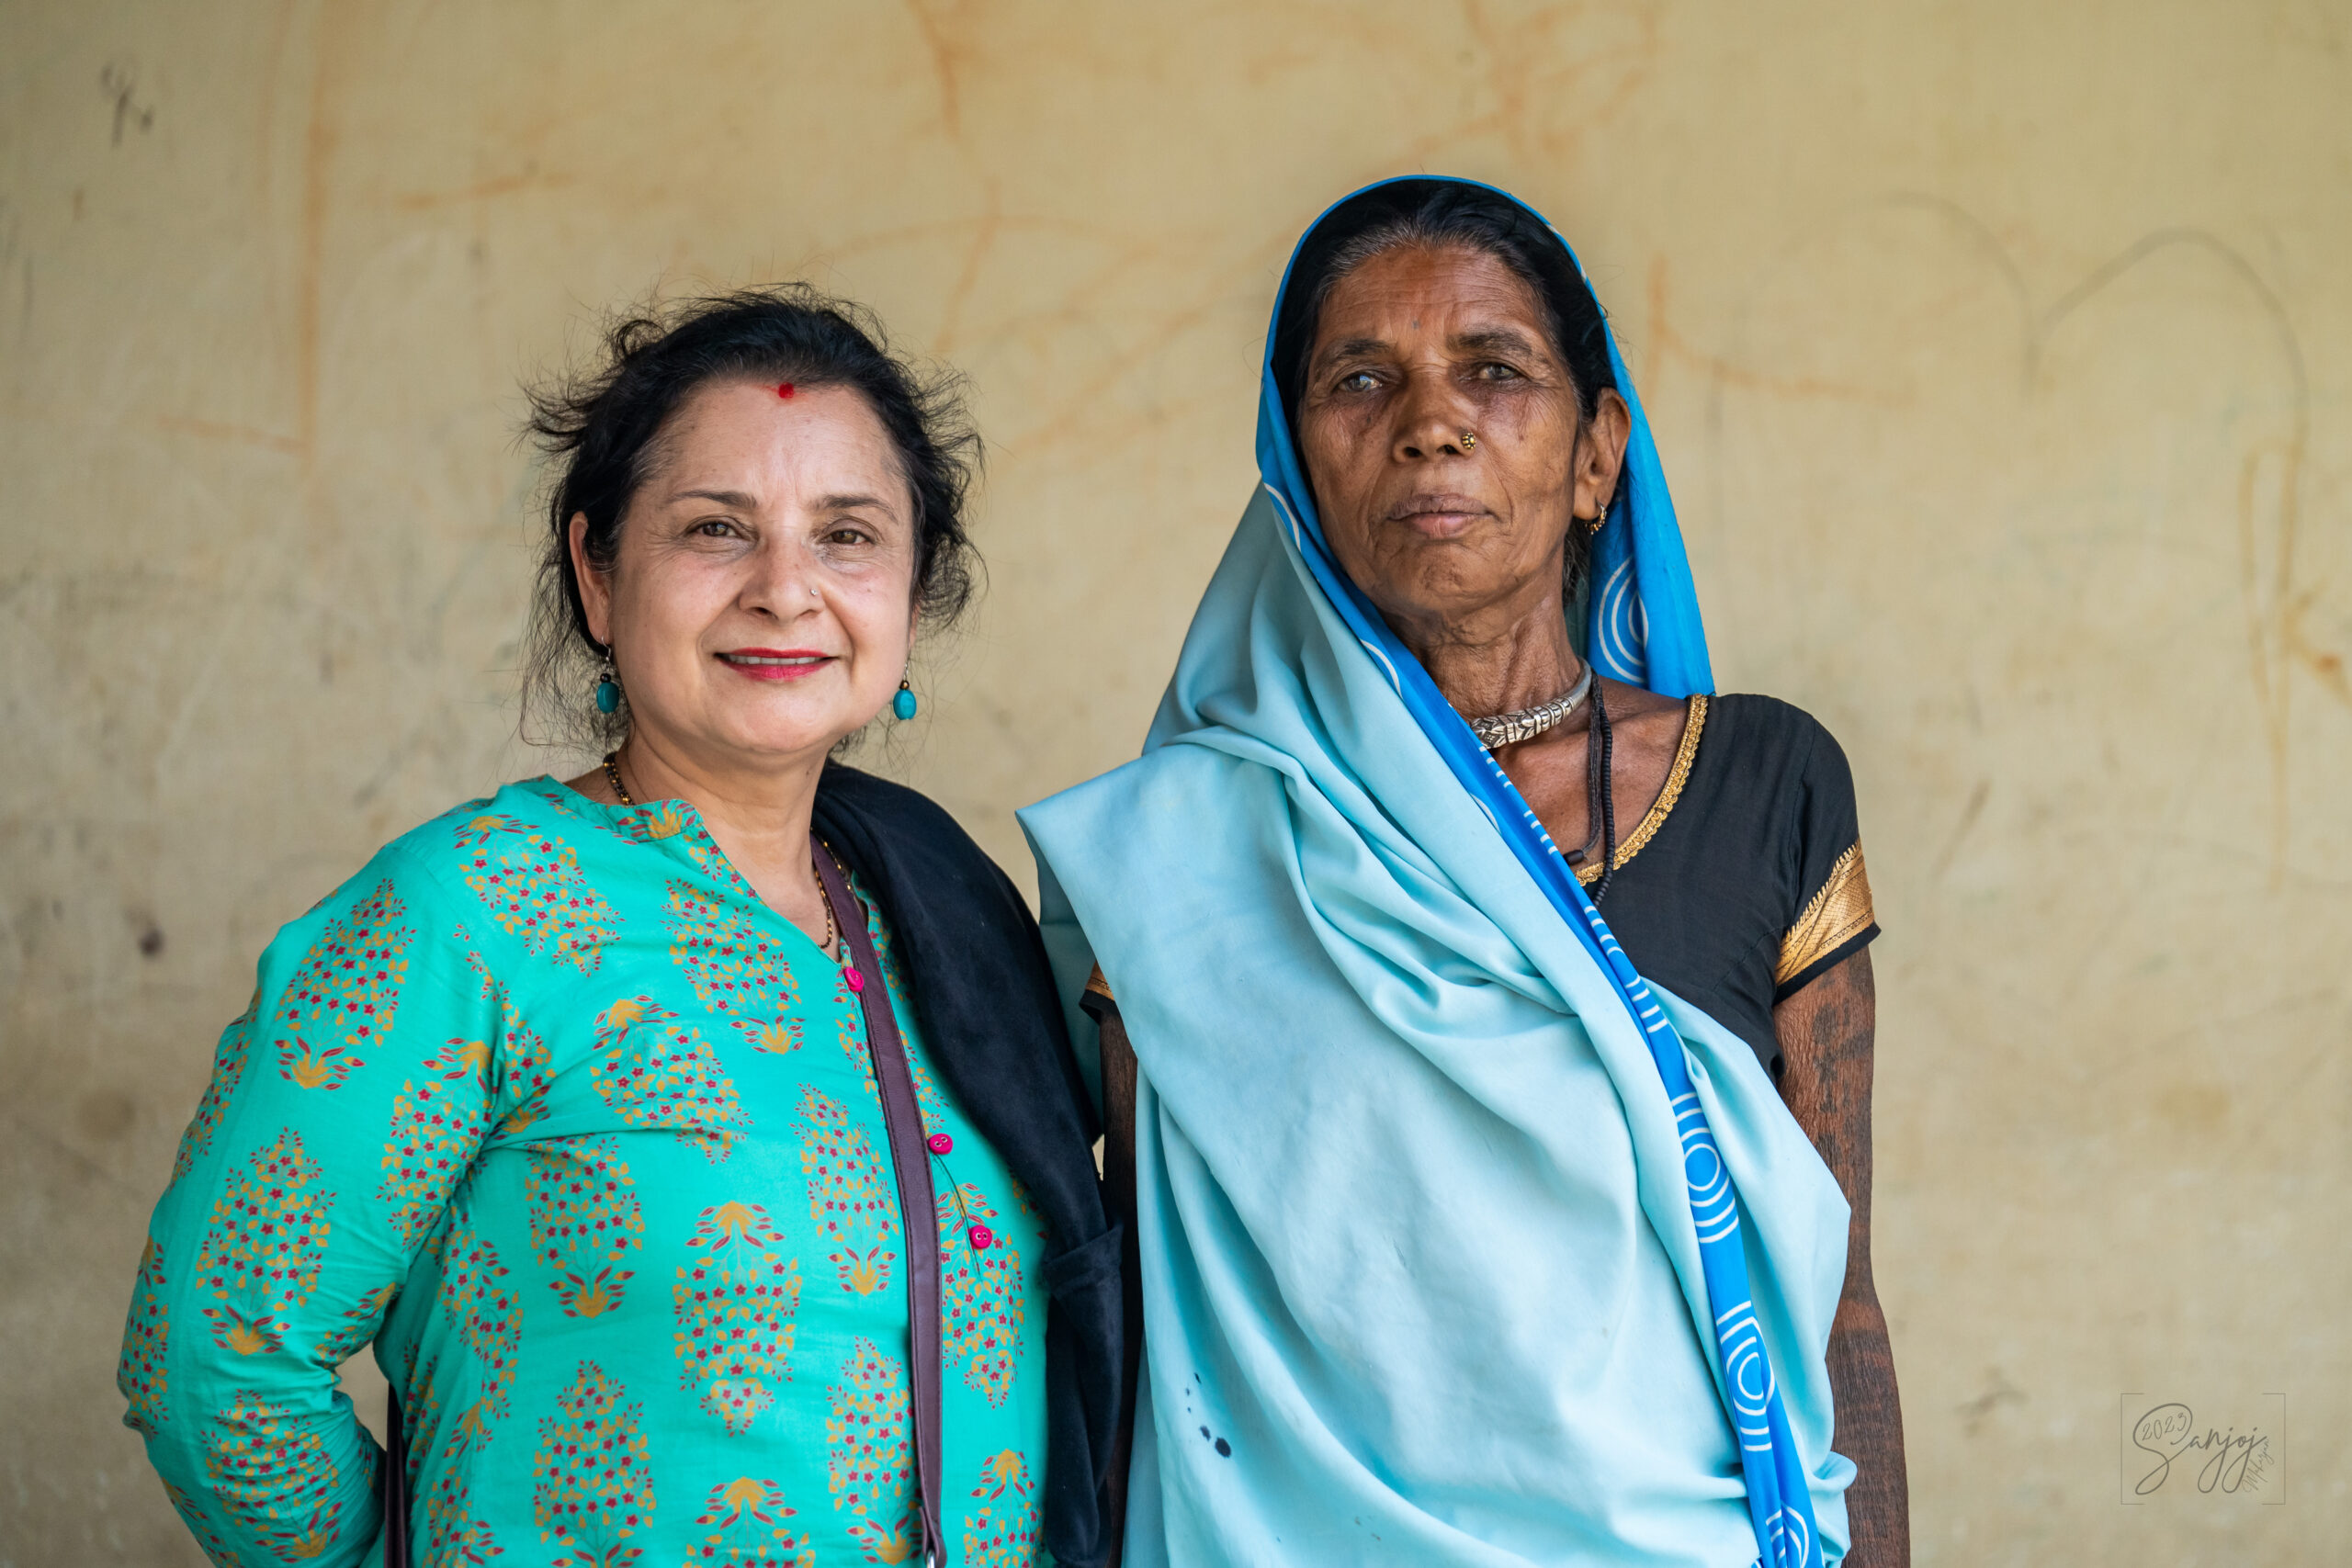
[761, 603]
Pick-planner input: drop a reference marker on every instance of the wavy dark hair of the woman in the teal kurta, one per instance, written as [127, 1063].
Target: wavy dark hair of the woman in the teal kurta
[603, 431]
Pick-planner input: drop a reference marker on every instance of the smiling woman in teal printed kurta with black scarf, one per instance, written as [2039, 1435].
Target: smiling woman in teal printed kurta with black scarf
[570, 1099]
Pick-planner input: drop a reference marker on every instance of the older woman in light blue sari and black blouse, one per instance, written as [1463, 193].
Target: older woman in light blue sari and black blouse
[1485, 1012]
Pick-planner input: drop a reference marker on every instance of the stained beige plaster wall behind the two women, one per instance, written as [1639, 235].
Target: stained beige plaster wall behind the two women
[2000, 356]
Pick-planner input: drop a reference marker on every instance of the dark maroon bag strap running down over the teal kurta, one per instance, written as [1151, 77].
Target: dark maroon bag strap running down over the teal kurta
[916, 1202]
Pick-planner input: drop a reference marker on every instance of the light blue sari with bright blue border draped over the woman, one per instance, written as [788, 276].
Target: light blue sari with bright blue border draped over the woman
[1459, 1242]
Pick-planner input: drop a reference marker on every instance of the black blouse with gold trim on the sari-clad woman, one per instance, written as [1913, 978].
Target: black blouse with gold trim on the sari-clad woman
[1746, 880]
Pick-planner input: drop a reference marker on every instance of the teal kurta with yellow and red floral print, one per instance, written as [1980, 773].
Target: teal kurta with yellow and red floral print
[584, 1137]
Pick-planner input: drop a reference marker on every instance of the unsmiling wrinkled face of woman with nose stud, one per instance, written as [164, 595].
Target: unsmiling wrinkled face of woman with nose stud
[1417, 349]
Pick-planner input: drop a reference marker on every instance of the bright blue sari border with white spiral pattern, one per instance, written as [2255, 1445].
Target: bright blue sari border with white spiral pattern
[1626, 610]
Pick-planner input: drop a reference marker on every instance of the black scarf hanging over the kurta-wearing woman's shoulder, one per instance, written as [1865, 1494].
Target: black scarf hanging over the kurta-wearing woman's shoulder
[994, 1026]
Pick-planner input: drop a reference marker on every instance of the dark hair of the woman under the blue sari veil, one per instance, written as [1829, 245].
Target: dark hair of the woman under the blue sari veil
[1438, 215]
